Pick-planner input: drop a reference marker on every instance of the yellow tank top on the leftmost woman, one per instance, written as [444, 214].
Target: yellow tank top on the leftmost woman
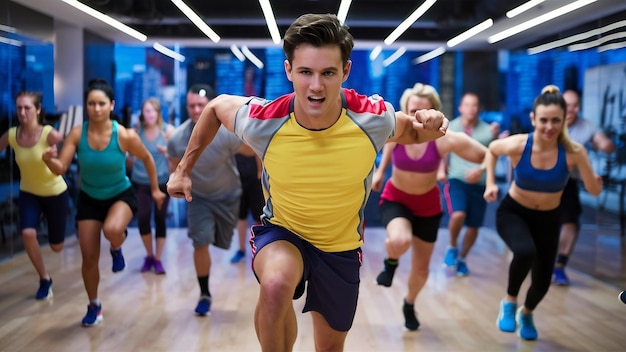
[36, 177]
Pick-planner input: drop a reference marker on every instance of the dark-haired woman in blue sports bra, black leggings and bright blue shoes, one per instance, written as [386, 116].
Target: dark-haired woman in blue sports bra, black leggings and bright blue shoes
[528, 217]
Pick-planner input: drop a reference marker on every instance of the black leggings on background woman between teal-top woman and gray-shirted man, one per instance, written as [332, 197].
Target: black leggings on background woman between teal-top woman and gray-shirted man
[146, 204]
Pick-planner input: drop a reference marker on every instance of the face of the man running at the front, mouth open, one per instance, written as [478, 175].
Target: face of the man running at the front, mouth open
[317, 74]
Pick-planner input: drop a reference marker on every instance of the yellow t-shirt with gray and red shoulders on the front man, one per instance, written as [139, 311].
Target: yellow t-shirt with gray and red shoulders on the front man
[316, 183]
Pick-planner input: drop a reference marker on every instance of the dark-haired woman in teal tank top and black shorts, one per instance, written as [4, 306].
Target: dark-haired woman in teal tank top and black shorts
[106, 200]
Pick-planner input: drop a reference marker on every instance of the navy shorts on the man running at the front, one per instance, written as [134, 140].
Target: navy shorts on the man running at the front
[332, 278]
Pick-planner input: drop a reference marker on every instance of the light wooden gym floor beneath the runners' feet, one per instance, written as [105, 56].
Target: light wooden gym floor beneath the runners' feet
[145, 312]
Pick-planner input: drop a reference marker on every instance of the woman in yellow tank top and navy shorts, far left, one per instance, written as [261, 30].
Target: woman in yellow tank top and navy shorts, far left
[41, 191]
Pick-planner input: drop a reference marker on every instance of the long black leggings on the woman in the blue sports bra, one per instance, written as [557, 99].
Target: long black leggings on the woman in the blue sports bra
[533, 237]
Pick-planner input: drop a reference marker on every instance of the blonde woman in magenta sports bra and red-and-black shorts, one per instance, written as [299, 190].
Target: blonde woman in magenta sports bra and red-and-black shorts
[410, 204]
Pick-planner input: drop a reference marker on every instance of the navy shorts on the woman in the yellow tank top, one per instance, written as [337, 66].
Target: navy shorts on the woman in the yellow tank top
[54, 208]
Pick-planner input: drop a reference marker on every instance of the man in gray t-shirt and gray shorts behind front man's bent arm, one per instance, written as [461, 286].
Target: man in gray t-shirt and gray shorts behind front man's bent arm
[212, 214]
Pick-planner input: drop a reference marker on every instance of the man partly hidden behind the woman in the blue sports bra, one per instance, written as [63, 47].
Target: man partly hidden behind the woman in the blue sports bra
[587, 134]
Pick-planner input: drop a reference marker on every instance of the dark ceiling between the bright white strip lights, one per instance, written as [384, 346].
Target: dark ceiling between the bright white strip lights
[370, 21]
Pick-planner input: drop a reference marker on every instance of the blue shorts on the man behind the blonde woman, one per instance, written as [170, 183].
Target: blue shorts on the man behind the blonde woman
[468, 198]
